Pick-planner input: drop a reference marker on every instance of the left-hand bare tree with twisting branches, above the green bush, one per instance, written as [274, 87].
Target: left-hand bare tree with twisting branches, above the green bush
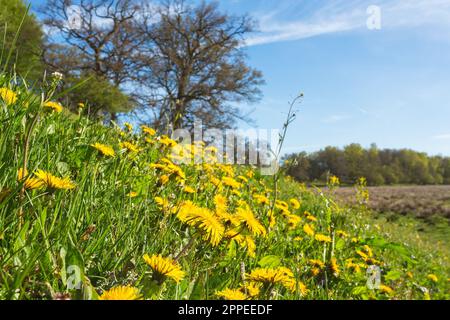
[98, 36]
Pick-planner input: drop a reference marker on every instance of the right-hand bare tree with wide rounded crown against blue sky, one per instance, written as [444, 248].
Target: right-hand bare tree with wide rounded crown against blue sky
[195, 66]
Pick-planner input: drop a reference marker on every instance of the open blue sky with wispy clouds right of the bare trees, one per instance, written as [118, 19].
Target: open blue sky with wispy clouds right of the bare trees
[389, 86]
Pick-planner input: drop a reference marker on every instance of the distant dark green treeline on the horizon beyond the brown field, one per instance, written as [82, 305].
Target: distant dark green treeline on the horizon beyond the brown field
[379, 167]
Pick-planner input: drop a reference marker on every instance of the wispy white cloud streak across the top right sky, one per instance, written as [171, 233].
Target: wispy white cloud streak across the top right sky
[343, 16]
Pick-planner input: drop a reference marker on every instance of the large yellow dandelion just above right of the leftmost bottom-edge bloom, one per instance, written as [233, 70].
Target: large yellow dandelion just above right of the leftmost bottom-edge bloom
[164, 268]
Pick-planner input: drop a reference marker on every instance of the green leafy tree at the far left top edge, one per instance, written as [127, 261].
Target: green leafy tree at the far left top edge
[26, 54]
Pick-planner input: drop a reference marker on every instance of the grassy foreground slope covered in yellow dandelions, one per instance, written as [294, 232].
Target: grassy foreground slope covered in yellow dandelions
[89, 211]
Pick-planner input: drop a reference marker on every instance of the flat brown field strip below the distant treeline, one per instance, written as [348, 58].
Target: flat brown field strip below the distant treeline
[422, 201]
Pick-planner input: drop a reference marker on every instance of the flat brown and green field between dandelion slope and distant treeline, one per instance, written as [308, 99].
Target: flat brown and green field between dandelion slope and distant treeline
[416, 215]
